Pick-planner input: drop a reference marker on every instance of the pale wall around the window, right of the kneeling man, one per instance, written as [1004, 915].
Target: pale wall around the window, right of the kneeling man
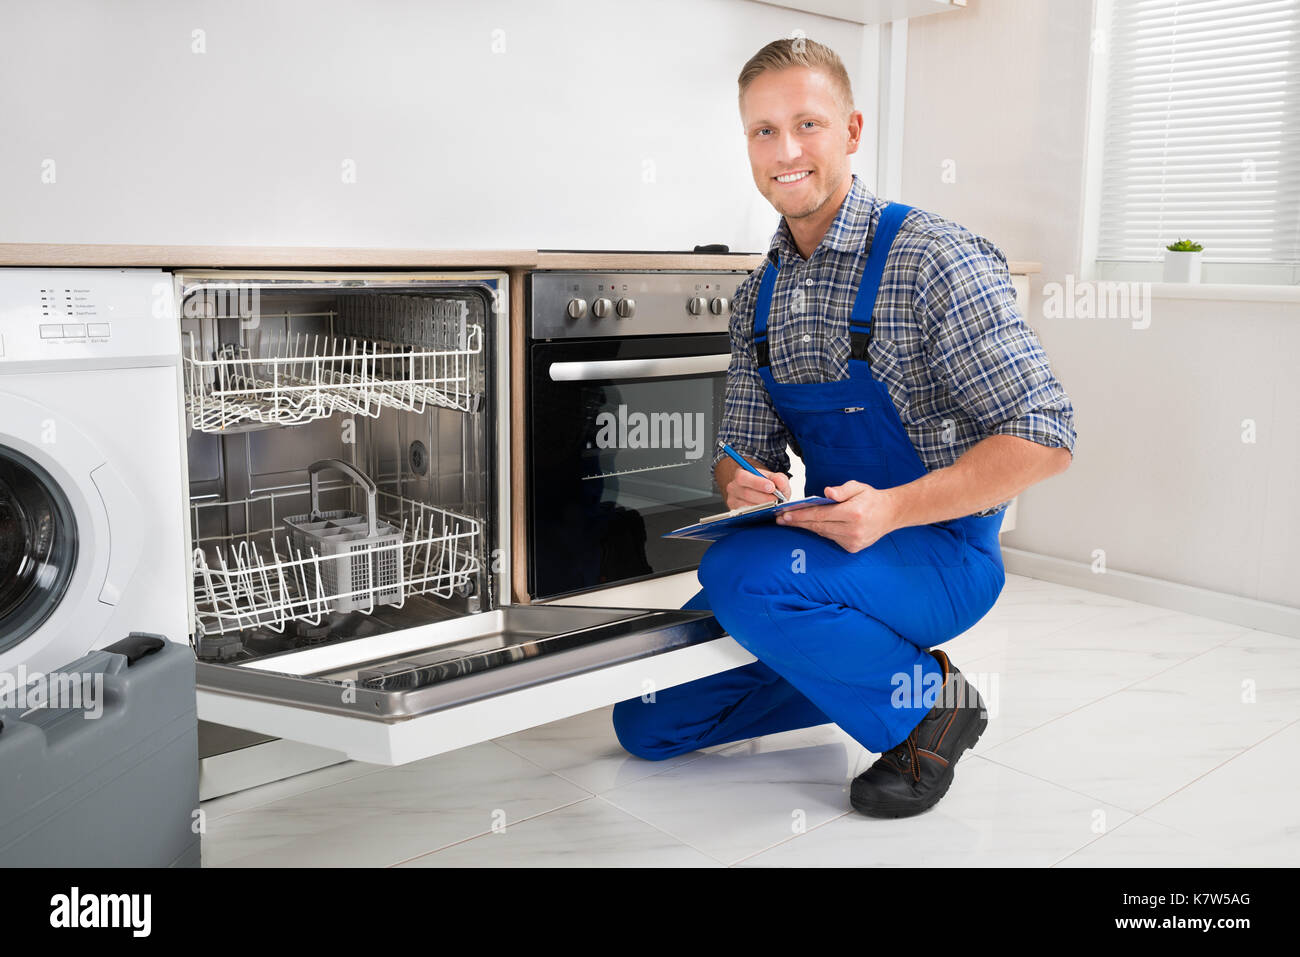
[1162, 480]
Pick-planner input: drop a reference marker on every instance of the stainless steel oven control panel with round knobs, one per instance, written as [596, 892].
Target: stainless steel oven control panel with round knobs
[582, 305]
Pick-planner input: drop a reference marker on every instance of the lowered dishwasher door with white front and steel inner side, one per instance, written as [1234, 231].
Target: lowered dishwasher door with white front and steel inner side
[409, 695]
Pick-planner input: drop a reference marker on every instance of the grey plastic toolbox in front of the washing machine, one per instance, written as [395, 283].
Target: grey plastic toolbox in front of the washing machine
[112, 782]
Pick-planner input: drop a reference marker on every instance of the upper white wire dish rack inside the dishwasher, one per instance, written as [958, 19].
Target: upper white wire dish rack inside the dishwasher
[384, 352]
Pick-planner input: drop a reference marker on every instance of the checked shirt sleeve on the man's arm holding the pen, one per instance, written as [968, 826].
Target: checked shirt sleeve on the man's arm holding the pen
[751, 425]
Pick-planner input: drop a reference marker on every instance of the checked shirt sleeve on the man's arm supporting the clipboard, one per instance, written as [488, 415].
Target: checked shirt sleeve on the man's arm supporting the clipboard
[980, 344]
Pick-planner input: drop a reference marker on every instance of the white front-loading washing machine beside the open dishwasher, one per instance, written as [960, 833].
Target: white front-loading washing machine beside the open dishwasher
[93, 525]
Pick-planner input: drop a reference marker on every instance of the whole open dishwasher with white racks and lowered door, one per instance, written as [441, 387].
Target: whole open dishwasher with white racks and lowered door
[348, 443]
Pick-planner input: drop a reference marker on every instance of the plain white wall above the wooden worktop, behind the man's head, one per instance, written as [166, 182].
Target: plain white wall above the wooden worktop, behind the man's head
[597, 125]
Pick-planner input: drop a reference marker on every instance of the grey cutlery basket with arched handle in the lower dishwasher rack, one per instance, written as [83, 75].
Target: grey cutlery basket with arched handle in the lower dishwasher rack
[361, 557]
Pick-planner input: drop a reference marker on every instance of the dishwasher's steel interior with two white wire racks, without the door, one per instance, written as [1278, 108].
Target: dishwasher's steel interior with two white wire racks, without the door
[340, 460]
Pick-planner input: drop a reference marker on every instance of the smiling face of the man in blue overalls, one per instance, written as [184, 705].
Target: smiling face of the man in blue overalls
[795, 124]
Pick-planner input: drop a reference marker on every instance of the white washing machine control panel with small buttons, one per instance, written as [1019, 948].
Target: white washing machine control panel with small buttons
[112, 317]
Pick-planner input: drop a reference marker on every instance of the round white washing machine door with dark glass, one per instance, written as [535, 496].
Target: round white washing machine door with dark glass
[70, 539]
